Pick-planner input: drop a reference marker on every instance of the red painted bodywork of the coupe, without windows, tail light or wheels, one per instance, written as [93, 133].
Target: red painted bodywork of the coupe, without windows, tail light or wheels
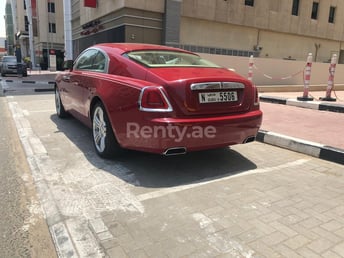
[119, 90]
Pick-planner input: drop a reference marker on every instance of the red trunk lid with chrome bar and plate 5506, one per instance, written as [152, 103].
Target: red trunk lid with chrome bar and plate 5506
[204, 91]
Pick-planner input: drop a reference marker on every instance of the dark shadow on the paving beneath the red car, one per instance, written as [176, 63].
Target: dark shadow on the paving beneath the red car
[152, 170]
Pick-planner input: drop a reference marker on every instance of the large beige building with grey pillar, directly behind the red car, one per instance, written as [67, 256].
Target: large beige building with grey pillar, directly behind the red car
[285, 29]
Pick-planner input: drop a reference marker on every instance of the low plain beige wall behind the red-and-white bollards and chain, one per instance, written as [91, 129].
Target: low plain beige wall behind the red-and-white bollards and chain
[277, 68]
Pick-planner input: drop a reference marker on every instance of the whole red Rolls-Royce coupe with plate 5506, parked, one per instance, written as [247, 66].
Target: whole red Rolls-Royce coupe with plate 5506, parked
[157, 99]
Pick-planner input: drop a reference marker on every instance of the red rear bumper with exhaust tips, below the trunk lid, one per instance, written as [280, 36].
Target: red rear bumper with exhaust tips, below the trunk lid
[159, 135]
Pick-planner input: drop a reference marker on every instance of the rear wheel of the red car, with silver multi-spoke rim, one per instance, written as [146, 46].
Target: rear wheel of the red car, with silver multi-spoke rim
[104, 139]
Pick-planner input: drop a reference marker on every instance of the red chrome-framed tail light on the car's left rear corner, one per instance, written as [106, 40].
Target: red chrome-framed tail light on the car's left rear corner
[153, 99]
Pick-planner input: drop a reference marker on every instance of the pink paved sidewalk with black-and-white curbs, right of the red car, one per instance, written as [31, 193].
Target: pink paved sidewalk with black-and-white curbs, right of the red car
[311, 127]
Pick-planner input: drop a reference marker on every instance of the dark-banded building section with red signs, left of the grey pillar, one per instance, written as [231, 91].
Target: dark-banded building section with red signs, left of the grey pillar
[116, 21]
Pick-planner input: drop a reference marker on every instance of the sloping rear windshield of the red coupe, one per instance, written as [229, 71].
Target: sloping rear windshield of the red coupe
[158, 58]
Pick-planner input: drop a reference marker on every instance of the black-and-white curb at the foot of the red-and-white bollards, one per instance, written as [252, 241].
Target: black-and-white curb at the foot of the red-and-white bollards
[317, 105]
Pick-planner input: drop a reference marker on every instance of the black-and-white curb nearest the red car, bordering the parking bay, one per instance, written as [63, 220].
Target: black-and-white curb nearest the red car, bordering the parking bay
[306, 147]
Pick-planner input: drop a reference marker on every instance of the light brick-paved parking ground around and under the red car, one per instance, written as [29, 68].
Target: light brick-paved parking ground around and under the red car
[251, 200]
